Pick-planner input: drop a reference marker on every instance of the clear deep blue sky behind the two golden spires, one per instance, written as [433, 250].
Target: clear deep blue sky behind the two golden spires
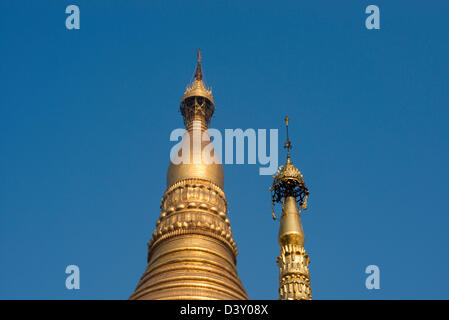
[85, 118]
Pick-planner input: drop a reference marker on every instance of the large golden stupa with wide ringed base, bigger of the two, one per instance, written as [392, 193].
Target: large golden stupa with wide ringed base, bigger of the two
[192, 254]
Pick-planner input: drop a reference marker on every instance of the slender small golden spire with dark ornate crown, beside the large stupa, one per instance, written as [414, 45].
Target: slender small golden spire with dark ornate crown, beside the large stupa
[289, 188]
